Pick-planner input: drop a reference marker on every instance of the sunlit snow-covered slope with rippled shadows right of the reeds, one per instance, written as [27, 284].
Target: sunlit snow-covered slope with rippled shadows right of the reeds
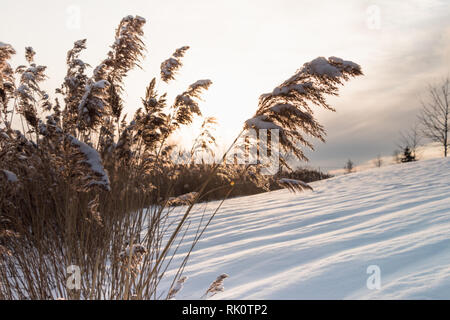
[318, 245]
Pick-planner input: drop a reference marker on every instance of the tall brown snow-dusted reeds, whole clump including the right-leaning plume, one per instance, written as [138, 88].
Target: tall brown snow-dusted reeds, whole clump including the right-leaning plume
[82, 187]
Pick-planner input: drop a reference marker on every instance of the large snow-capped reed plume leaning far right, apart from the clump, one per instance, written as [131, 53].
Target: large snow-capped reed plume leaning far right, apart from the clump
[288, 107]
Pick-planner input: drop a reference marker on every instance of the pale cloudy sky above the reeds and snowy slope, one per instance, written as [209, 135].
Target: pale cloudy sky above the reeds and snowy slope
[248, 47]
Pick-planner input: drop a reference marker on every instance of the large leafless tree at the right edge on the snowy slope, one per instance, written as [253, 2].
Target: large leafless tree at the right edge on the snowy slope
[434, 117]
